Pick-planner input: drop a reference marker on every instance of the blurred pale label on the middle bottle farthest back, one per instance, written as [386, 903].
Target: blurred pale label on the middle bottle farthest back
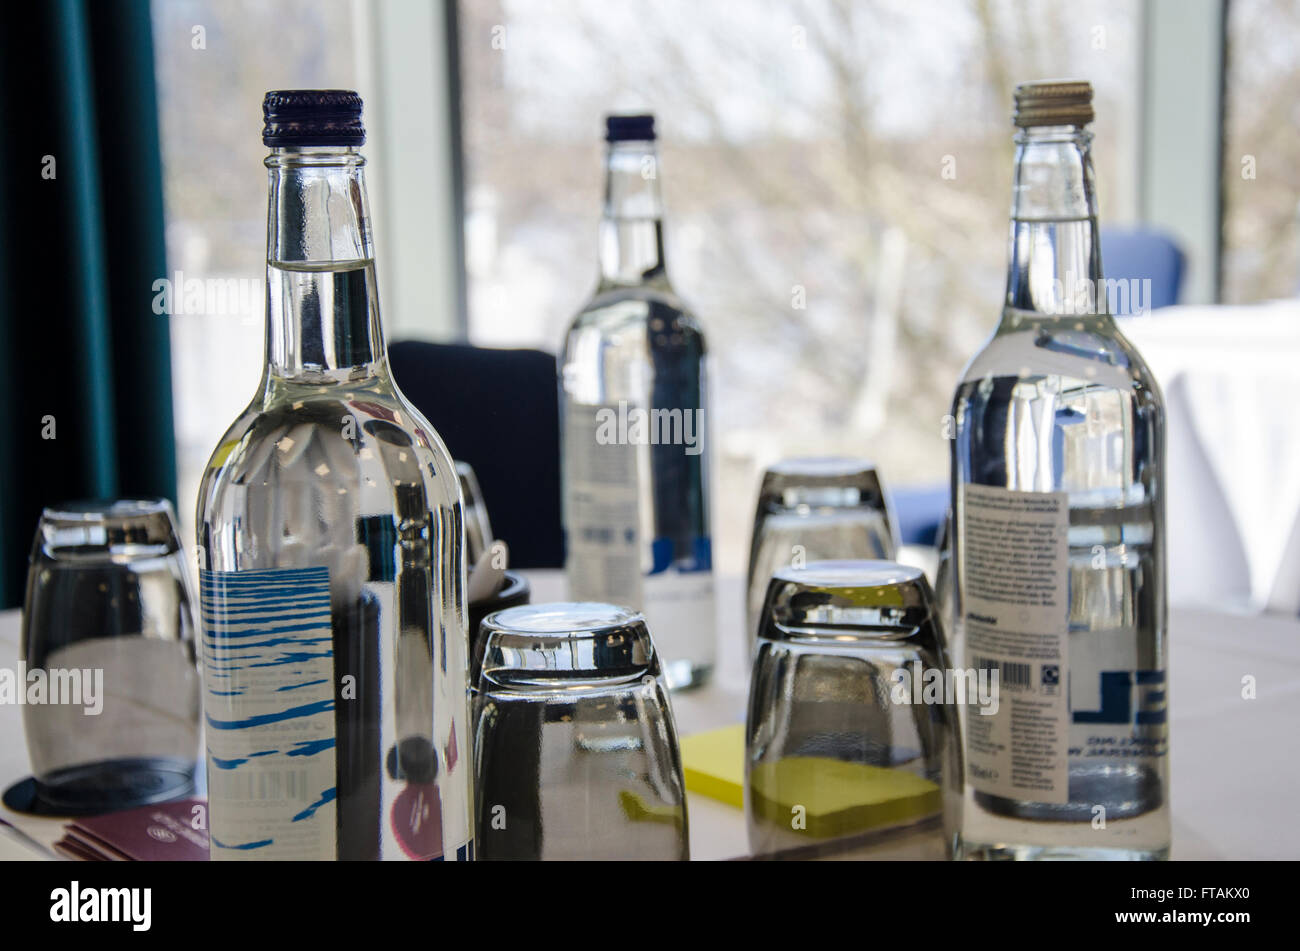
[603, 510]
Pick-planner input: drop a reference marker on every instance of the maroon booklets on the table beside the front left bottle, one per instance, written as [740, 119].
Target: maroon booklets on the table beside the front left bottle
[150, 833]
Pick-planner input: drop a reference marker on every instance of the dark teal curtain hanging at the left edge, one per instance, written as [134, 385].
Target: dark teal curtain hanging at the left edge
[85, 363]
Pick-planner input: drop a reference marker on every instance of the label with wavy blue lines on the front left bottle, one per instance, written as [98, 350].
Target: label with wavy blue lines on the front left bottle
[268, 675]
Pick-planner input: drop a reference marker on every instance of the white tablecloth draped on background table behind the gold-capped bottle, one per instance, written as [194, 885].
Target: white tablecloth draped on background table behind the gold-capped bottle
[1234, 449]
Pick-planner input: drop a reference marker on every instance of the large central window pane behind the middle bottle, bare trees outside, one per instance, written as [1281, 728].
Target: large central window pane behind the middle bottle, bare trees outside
[837, 179]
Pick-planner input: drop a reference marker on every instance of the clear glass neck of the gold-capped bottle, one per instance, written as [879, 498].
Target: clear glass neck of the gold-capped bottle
[1055, 254]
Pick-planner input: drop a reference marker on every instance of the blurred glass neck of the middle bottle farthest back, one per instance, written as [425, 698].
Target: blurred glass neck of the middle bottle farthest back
[632, 224]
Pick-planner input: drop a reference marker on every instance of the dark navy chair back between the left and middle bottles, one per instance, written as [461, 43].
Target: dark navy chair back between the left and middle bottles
[497, 410]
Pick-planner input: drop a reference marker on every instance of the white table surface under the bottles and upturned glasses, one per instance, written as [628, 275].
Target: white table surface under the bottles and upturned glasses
[1233, 759]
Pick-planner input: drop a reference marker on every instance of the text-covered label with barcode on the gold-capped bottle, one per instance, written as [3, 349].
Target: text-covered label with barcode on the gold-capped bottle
[1015, 553]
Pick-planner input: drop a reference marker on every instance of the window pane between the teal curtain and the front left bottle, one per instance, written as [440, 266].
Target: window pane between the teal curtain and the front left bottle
[215, 63]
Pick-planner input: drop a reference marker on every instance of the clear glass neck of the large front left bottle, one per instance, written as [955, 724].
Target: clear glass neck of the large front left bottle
[323, 315]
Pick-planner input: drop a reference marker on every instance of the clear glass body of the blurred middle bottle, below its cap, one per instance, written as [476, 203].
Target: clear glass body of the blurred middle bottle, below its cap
[634, 418]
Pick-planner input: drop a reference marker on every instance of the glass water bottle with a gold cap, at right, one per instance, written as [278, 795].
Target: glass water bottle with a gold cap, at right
[1059, 518]
